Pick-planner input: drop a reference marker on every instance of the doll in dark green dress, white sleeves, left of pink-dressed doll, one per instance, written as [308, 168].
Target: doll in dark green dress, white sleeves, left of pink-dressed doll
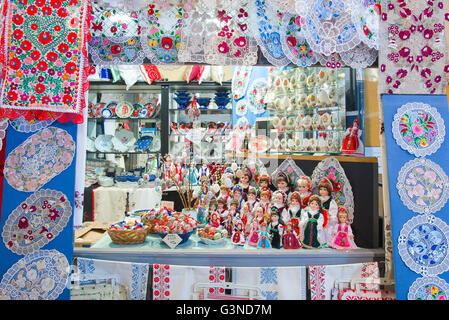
[313, 222]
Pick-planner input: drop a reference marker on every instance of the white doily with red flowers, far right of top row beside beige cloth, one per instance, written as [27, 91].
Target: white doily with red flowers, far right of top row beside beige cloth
[366, 16]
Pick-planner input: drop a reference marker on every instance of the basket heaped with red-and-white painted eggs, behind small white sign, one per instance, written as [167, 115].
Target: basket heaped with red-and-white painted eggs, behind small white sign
[175, 223]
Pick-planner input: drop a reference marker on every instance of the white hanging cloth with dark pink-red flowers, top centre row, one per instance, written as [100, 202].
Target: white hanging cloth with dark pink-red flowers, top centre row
[231, 42]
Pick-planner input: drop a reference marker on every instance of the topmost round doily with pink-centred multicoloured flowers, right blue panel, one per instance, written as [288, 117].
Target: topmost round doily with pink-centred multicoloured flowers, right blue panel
[418, 128]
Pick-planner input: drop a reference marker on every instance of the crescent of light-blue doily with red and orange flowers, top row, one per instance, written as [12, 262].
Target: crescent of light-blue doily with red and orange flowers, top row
[294, 43]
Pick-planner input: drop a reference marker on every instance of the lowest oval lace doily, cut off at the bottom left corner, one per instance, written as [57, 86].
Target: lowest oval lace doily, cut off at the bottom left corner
[42, 275]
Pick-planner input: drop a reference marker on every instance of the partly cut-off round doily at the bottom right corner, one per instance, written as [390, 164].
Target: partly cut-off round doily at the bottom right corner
[428, 288]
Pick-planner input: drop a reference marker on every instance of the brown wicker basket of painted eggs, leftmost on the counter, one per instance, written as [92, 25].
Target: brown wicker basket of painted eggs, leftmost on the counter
[128, 232]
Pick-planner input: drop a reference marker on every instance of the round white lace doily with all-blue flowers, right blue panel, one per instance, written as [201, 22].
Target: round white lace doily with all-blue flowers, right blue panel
[423, 245]
